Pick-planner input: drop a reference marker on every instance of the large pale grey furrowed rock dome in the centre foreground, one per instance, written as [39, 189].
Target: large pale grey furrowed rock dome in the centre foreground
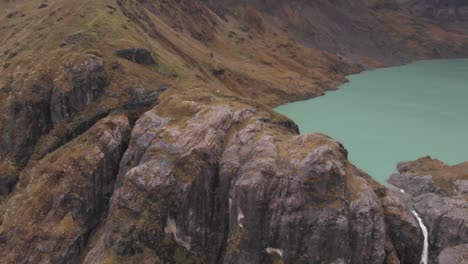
[229, 186]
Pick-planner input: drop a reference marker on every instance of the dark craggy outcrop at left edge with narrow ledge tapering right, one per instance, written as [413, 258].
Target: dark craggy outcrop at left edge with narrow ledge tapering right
[44, 111]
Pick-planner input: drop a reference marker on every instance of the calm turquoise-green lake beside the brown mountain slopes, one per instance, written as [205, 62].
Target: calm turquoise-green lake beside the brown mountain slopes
[394, 114]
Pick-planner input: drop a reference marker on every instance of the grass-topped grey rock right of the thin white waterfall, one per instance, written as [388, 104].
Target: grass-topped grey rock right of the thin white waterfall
[438, 193]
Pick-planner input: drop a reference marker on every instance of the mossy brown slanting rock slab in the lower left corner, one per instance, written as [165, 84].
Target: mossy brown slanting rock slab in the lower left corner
[59, 201]
